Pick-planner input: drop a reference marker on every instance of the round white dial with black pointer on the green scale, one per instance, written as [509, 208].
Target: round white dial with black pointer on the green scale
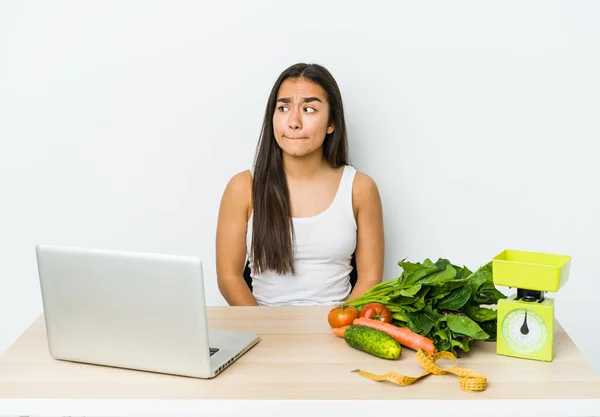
[524, 331]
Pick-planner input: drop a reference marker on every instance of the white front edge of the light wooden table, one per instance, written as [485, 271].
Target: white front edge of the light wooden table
[267, 408]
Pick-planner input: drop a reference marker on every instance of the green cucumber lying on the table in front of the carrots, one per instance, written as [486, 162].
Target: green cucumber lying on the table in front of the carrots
[372, 341]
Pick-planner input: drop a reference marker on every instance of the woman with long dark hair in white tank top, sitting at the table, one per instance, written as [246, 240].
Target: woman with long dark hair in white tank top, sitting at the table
[304, 211]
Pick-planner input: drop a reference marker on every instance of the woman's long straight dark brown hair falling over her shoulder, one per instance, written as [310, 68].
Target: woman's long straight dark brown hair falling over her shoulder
[272, 227]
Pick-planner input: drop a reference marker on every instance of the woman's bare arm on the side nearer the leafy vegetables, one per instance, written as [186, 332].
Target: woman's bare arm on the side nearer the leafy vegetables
[370, 244]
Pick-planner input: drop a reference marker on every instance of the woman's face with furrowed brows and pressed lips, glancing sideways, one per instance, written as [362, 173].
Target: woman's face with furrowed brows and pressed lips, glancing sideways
[301, 118]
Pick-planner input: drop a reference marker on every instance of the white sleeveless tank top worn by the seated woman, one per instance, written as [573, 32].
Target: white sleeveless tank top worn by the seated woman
[323, 248]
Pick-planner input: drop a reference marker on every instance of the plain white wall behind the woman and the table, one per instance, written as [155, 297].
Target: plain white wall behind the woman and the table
[121, 123]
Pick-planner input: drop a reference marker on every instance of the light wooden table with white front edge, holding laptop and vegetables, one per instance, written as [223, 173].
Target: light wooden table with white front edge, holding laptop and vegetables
[298, 368]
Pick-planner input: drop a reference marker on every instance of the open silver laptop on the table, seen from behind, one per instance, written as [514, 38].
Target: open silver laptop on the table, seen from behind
[131, 310]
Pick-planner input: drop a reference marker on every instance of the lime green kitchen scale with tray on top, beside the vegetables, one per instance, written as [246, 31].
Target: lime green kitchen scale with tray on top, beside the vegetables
[526, 319]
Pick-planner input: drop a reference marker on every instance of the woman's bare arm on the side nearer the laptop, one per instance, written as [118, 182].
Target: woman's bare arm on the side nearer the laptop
[231, 240]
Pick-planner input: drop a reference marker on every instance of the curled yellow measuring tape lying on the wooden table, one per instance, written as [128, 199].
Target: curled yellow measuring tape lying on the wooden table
[468, 380]
